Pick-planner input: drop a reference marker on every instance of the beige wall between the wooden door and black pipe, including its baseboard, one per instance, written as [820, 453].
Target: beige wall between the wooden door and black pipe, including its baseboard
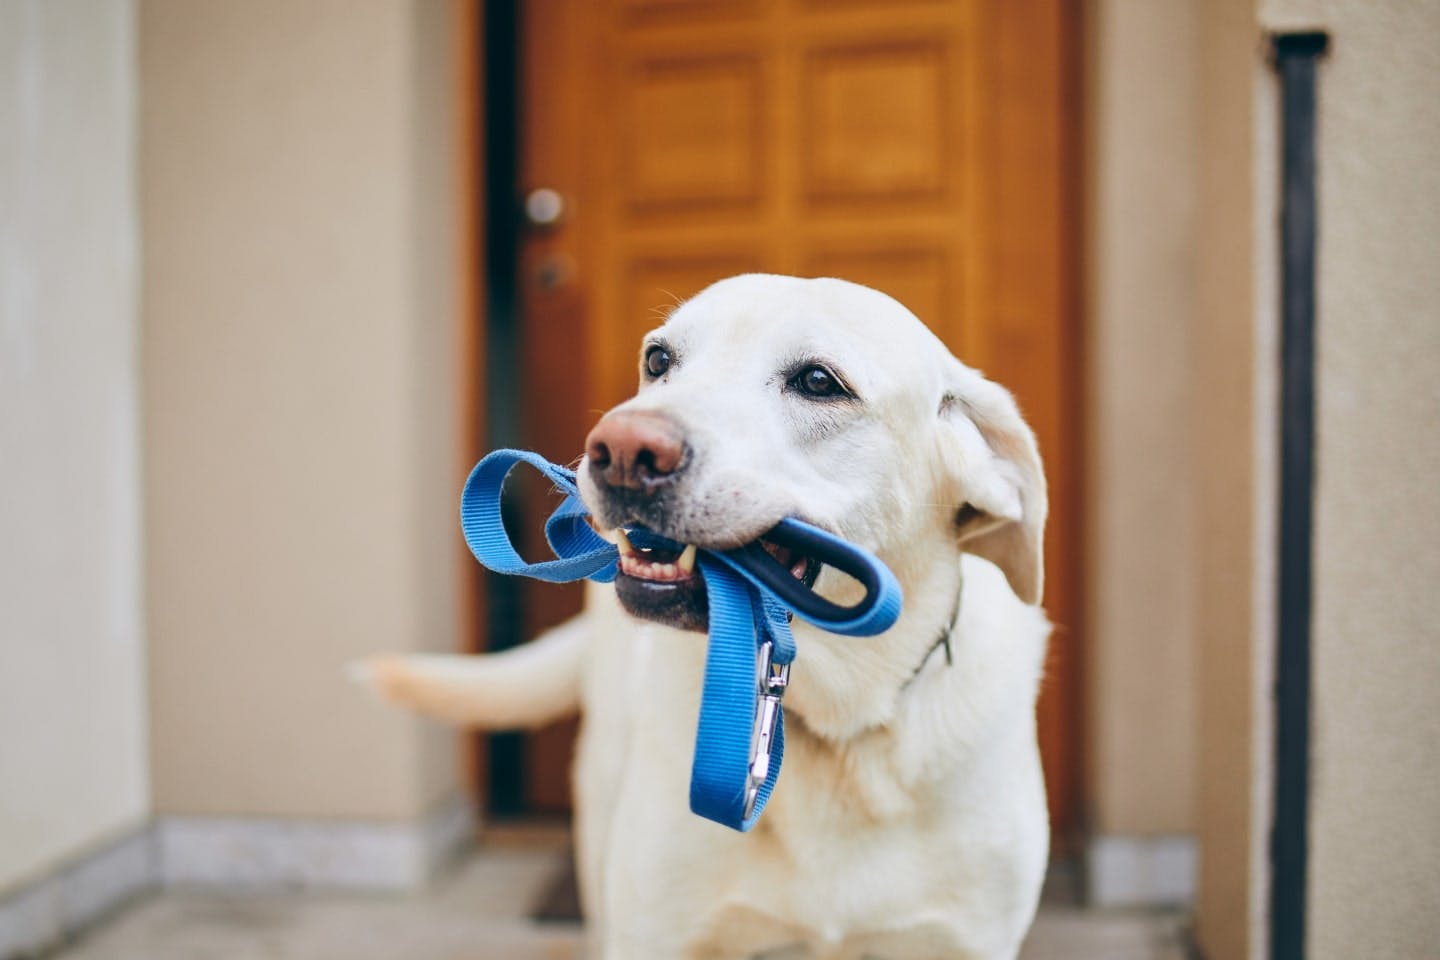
[1182, 476]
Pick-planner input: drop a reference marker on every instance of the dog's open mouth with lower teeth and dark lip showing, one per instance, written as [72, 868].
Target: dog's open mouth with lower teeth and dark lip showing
[662, 581]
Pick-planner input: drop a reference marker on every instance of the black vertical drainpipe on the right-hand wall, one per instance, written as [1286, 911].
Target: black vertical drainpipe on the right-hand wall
[1295, 58]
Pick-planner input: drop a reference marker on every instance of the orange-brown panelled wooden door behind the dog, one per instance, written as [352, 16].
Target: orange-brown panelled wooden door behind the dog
[924, 148]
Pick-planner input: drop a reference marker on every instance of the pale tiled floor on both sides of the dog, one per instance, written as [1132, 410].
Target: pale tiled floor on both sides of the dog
[479, 912]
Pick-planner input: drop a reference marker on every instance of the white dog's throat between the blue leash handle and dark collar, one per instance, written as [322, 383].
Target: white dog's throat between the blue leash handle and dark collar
[843, 687]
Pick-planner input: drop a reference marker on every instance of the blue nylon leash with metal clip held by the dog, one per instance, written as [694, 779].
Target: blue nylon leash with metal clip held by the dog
[741, 736]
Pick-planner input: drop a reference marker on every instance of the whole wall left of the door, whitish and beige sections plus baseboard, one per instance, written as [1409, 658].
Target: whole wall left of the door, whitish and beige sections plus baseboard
[231, 433]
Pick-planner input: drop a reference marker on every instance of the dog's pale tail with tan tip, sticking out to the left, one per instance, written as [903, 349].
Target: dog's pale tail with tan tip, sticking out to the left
[523, 687]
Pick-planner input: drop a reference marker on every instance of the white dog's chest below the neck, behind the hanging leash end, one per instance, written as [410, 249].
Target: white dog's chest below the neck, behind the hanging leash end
[875, 848]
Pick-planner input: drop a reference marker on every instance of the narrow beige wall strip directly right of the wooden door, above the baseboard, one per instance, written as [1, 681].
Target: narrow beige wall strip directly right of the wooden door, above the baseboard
[1143, 243]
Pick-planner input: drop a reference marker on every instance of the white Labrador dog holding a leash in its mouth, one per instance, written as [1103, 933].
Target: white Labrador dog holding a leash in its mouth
[911, 815]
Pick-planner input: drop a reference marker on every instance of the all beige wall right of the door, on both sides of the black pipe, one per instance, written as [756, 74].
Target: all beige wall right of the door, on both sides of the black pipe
[1184, 139]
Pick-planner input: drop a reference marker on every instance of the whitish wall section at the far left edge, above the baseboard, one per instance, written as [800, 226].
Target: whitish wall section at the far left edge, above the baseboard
[73, 751]
